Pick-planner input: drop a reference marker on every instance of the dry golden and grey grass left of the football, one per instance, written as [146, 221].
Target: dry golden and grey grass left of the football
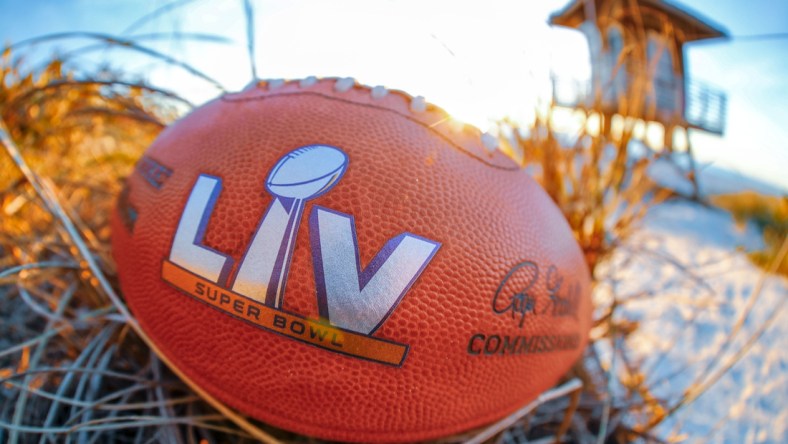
[70, 365]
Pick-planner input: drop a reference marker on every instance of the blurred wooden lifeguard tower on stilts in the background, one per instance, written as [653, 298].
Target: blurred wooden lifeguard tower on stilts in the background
[638, 67]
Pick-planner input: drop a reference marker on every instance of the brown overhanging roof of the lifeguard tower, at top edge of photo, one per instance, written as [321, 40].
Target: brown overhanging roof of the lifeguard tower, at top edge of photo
[692, 24]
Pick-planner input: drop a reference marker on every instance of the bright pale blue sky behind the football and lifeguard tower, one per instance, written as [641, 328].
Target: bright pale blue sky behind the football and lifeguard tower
[478, 60]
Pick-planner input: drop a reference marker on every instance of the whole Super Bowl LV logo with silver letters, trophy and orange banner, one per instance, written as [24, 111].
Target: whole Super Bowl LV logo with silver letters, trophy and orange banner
[353, 302]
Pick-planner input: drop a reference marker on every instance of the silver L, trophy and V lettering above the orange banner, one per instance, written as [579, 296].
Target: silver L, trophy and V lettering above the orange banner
[349, 296]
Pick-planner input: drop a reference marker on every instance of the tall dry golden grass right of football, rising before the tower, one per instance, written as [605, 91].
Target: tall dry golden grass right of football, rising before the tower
[603, 188]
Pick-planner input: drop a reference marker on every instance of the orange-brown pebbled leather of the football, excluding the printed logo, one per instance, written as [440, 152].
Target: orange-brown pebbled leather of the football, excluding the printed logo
[407, 172]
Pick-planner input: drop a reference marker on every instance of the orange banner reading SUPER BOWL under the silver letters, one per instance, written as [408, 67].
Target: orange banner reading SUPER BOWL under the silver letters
[320, 334]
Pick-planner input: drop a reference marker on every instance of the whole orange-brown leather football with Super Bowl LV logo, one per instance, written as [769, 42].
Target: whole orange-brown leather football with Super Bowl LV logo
[349, 263]
